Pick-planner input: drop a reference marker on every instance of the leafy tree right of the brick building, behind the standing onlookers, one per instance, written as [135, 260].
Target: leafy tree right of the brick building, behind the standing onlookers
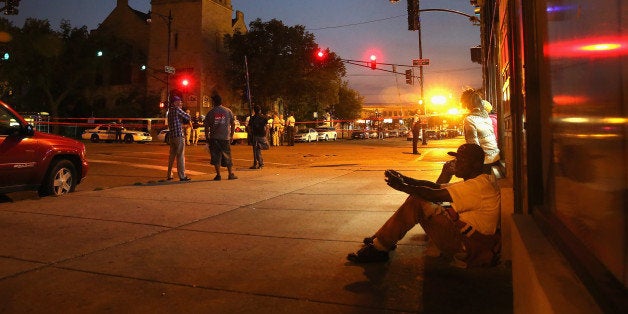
[282, 65]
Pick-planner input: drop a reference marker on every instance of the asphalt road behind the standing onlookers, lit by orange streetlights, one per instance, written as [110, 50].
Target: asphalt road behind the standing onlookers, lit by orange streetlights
[117, 164]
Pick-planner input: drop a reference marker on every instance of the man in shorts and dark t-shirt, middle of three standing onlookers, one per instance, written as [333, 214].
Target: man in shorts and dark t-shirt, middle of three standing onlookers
[219, 128]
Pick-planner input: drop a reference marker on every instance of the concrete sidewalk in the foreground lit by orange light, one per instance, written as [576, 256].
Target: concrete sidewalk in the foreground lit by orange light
[275, 240]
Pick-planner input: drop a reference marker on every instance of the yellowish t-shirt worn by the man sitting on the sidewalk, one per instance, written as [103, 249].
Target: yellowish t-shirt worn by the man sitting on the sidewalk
[478, 202]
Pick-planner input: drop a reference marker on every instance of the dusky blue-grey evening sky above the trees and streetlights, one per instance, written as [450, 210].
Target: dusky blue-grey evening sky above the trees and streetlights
[354, 29]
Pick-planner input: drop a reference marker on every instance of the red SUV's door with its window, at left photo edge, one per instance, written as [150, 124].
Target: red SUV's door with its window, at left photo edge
[17, 153]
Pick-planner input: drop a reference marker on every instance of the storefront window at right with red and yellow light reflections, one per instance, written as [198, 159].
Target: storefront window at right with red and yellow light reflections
[587, 58]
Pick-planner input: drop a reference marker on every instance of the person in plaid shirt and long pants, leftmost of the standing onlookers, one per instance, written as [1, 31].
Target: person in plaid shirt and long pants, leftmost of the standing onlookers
[177, 118]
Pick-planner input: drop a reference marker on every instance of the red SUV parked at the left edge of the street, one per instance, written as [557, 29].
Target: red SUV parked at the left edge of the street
[33, 160]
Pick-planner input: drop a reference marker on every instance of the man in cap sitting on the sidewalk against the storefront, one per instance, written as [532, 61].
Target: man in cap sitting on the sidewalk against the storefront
[467, 230]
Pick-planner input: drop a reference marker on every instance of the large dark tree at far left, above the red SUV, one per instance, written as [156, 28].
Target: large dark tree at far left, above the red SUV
[49, 66]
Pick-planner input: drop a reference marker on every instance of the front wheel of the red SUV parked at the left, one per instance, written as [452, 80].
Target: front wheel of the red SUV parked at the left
[61, 179]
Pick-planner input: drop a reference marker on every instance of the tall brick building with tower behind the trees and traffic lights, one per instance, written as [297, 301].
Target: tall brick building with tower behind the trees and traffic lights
[195, 30]
